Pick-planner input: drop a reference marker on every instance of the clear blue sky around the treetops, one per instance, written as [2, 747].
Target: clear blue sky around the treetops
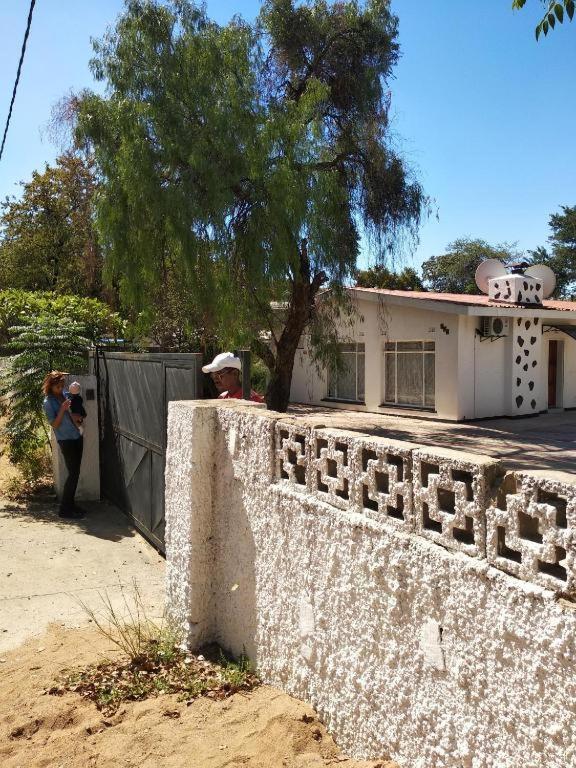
[483, 112]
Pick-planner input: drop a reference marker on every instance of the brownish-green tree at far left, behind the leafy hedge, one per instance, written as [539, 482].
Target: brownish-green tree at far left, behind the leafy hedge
[47, 238]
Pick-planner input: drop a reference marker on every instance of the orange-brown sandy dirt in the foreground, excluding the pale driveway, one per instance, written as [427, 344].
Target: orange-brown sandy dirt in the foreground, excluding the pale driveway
[263, 729]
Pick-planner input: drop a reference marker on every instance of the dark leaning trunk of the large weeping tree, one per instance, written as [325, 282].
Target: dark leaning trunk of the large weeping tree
[301, 307]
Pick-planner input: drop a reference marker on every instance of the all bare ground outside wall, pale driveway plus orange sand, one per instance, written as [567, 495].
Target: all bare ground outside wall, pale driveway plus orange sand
[46, 566]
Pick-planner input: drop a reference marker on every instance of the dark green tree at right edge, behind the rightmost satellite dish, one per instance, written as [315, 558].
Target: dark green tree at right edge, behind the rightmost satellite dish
[561, 258]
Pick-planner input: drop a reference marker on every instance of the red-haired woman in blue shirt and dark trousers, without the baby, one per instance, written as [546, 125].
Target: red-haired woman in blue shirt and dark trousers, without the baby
[69, 437]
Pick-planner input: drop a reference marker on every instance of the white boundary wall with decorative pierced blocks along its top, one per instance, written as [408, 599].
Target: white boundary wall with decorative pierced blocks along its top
[409, 642]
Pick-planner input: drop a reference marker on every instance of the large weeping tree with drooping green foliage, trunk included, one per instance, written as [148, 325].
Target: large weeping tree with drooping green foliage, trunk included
[253, 155]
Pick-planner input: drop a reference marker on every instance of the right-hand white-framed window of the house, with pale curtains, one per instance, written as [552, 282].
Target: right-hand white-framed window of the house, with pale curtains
[409, 373]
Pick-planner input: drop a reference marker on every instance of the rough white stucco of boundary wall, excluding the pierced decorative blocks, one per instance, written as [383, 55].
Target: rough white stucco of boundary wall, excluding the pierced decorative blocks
[403, 646]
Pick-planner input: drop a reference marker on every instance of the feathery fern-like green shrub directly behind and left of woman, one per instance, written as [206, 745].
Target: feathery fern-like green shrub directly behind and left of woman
[41, 344]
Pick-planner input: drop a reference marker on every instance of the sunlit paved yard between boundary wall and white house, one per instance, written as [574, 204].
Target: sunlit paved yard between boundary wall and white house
[542, 442]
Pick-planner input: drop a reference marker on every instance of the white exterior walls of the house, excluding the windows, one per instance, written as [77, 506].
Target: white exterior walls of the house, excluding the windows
[475, 378]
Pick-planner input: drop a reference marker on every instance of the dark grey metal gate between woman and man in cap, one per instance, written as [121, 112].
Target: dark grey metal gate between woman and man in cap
[134, 391]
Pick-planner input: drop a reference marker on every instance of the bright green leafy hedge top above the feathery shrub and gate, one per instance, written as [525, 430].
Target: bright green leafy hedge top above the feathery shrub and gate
[94, 317]
